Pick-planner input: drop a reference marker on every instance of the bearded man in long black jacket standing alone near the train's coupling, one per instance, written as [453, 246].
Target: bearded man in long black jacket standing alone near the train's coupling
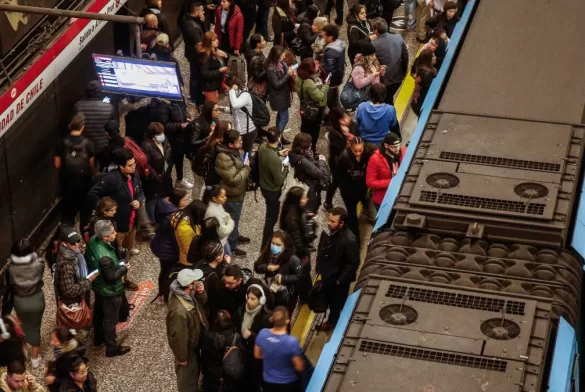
[338, 258]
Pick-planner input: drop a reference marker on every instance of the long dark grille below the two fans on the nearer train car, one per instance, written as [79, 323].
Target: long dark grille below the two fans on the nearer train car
[368, 346]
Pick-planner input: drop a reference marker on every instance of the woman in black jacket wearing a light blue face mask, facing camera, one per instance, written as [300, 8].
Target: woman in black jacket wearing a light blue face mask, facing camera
[281, 267]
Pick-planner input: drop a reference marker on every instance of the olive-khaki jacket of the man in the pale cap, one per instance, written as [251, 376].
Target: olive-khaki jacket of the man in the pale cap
[184, 324]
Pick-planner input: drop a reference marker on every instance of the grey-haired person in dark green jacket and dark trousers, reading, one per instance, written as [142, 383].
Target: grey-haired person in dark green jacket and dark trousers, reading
[108, 286]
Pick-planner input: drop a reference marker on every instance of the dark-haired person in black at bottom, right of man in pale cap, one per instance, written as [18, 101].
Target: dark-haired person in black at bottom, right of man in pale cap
[214, 343]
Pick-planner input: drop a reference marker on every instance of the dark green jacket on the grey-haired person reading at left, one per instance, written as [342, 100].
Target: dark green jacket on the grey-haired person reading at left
[109, 280]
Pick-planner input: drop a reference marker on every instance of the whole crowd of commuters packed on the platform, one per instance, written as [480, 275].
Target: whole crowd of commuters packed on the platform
[227, 326]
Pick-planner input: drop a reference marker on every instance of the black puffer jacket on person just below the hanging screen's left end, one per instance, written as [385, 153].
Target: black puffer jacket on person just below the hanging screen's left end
[97, 113]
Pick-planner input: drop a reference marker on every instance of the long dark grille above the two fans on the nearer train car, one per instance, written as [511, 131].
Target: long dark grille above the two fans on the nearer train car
[455, 299]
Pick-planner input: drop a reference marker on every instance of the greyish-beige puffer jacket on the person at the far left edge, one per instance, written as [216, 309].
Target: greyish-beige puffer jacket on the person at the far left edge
[26, 274]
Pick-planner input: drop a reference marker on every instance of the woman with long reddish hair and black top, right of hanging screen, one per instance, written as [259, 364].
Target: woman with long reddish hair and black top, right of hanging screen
[213, 66]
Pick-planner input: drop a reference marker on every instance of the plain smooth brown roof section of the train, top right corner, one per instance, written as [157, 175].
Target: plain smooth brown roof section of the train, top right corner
[519, 60]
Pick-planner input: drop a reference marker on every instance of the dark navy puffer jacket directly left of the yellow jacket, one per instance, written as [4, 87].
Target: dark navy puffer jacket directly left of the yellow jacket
[164, 244]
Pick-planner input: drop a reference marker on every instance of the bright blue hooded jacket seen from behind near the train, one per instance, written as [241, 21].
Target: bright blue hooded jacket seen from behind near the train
[375, 121]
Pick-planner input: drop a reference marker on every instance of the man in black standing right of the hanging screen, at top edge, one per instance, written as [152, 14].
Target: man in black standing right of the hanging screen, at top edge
[192, 27]
